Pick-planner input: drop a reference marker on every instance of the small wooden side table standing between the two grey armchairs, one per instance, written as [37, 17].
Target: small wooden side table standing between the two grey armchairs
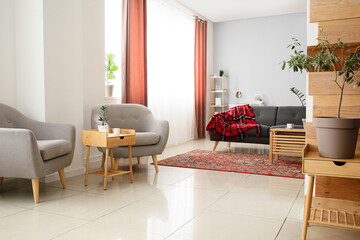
[94, 138]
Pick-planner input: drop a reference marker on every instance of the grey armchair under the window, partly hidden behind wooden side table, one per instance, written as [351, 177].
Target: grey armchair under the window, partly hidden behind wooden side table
[151, 134]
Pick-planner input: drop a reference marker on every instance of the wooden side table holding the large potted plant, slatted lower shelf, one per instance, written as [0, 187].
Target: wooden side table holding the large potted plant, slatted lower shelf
[314, 165]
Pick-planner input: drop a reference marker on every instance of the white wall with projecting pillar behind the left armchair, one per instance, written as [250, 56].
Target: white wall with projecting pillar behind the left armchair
[52, 62]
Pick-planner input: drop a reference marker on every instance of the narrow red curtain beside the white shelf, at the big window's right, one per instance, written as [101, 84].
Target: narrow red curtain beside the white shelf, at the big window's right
[200, 77]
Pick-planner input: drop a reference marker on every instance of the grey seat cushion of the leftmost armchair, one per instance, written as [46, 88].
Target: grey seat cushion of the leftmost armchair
[50, 149]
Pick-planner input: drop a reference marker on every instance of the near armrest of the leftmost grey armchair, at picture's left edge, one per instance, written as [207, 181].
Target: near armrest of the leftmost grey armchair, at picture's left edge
[19, 154]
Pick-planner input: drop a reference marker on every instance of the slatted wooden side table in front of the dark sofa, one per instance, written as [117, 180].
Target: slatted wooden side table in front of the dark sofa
[286, 141]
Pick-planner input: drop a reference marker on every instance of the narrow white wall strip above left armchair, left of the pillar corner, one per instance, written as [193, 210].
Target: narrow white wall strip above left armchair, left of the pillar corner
[30, 97]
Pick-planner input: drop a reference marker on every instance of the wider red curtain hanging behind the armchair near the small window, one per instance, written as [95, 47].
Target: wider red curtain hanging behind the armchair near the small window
[134, 72]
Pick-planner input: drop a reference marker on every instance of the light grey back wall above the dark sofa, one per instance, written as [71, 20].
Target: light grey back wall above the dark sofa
[249, 51]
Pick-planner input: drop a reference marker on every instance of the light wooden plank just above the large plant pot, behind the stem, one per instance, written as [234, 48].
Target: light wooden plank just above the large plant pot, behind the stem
[326, 106]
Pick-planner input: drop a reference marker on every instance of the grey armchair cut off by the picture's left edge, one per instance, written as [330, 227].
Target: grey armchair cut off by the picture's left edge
[32, 149]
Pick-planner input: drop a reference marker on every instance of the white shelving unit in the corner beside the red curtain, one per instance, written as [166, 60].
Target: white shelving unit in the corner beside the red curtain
[219, 94]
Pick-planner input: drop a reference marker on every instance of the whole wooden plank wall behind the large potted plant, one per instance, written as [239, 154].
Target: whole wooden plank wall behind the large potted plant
[337, 18]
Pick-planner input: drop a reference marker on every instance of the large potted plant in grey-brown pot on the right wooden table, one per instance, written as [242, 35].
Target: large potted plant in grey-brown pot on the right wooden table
[336, 136]
